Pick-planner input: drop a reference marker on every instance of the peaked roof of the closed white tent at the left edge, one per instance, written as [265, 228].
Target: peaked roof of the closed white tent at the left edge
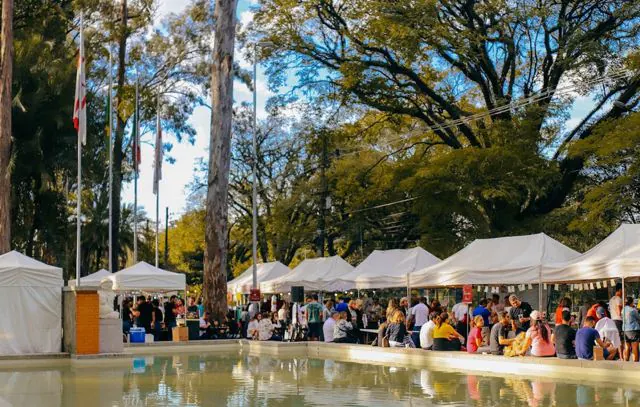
[16, 269]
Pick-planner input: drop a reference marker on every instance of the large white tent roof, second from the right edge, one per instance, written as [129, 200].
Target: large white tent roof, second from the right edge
[503, 260]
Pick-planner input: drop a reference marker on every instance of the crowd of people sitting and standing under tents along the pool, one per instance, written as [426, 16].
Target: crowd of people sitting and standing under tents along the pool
[499, 326]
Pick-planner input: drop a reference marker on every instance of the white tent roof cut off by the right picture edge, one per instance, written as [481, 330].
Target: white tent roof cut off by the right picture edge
[616, 256]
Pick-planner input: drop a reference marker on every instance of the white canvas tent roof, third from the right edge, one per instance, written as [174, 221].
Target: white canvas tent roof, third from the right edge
[389, 268]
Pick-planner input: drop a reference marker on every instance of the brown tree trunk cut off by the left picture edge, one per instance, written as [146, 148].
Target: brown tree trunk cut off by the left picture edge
[6, 76]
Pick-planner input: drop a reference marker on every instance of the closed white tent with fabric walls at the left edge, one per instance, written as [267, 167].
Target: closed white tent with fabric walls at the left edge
[31, 303]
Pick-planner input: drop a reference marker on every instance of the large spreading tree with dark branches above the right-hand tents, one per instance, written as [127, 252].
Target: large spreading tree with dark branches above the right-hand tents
[438, 64]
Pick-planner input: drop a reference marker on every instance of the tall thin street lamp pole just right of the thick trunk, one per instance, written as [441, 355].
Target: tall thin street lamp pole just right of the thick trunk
[254, 209]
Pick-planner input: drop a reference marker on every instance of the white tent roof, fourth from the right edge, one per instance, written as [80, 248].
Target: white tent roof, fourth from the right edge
[321, 274]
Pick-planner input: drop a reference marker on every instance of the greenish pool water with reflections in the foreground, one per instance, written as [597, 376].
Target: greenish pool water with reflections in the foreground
[247, 380]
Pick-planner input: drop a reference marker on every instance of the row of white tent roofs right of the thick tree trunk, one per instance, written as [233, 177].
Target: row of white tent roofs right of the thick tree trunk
[528, 259]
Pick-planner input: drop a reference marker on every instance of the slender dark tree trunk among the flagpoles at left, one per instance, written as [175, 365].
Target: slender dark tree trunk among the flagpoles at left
[118, 154]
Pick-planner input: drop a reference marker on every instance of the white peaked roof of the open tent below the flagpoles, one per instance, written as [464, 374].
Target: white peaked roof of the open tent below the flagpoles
[145, 277]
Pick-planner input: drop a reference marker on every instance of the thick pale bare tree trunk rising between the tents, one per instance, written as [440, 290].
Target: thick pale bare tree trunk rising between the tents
[215, 259]
